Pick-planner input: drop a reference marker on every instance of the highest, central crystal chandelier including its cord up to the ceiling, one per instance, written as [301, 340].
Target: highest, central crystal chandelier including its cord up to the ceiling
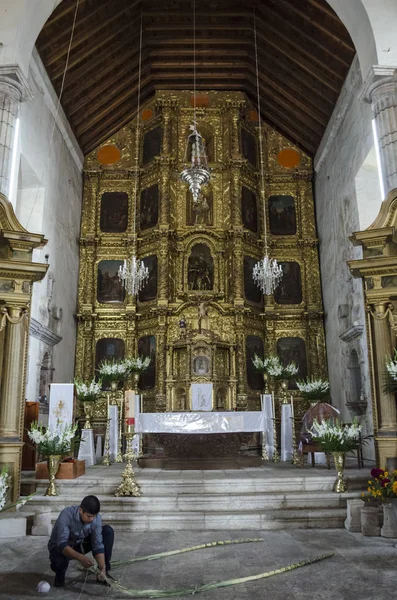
[197, 174]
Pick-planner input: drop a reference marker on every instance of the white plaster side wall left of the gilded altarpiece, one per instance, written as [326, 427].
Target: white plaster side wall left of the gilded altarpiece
[49, 201]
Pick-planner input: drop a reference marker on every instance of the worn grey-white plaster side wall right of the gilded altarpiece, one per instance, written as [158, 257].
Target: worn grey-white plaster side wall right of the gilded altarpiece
[346, 144]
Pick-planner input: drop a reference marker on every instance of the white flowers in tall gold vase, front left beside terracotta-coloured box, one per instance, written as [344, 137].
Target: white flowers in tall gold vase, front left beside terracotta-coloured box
[53, 444]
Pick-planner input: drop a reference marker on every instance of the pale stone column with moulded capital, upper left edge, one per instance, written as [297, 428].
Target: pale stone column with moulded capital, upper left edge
[13, 90]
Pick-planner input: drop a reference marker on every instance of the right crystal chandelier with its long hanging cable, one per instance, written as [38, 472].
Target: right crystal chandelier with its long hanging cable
[267, 273]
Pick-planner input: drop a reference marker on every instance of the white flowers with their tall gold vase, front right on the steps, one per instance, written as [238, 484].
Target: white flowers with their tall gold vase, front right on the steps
[337, 438]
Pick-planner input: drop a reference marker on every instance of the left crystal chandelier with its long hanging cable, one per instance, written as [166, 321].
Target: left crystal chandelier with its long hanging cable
[133, 274]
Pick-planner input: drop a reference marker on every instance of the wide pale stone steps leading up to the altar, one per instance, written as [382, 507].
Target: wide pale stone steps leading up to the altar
[274, 496]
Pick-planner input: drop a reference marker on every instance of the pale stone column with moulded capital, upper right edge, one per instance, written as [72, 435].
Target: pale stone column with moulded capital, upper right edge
[381, 91]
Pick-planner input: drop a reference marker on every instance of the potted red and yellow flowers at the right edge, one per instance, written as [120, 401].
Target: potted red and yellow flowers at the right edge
[382, 487]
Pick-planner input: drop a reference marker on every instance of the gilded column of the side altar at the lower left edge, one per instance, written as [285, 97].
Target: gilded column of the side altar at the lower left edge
[15, 321]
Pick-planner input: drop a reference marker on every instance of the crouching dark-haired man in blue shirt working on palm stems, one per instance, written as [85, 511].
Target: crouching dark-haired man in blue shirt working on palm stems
[78, 530]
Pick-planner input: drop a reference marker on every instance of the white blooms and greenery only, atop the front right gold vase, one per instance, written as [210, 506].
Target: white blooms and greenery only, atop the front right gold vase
[334, 436]
